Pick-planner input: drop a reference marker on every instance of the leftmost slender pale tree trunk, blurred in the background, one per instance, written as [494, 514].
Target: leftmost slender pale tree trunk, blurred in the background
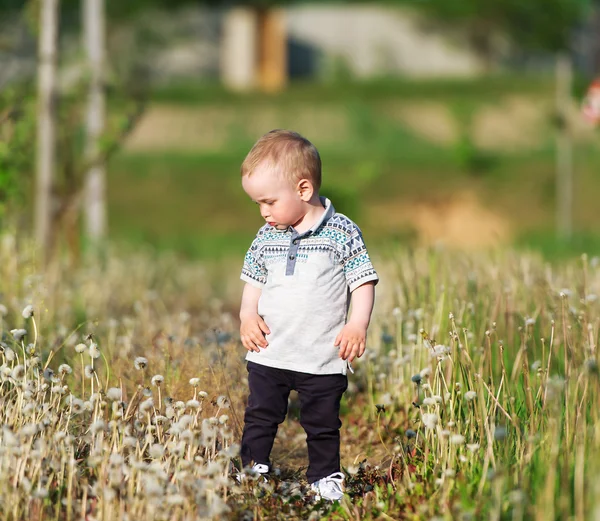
[46, 130]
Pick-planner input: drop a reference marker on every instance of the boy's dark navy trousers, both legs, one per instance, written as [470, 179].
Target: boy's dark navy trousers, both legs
[319, 396]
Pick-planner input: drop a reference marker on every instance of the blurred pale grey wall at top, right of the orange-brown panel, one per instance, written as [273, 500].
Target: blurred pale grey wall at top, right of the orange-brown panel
[373, 40]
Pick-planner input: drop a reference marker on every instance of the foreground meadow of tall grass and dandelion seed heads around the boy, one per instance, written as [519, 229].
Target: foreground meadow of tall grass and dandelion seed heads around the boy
[122, 390]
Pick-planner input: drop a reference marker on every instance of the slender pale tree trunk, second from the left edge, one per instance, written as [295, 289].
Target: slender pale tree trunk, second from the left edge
[95, 181]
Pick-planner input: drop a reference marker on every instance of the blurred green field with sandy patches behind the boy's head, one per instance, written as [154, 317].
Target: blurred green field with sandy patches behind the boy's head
[469, 162]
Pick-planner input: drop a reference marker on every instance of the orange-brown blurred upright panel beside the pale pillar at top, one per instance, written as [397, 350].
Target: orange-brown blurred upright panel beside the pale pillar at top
[272, 47]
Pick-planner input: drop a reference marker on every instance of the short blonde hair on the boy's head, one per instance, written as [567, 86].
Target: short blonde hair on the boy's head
[292, 155]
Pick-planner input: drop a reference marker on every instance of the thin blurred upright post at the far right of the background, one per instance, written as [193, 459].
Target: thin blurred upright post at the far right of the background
[564, 152]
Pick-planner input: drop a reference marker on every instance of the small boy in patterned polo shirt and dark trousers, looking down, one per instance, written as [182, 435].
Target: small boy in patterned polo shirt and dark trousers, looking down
[300, 271]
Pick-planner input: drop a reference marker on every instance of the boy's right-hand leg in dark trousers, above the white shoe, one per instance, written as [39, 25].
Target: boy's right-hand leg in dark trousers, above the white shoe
[320, 397]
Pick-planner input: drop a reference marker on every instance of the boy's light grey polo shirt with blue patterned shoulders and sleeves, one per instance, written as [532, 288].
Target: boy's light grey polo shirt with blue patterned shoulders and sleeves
[306, 280]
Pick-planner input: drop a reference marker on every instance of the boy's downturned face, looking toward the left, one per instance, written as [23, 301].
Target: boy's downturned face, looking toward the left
[281, 204]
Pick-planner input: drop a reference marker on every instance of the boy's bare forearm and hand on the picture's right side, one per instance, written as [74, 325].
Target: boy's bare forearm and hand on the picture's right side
[352, 338]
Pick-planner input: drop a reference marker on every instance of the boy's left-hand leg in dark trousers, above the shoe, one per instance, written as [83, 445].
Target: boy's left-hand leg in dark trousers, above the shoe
[267, 407]
